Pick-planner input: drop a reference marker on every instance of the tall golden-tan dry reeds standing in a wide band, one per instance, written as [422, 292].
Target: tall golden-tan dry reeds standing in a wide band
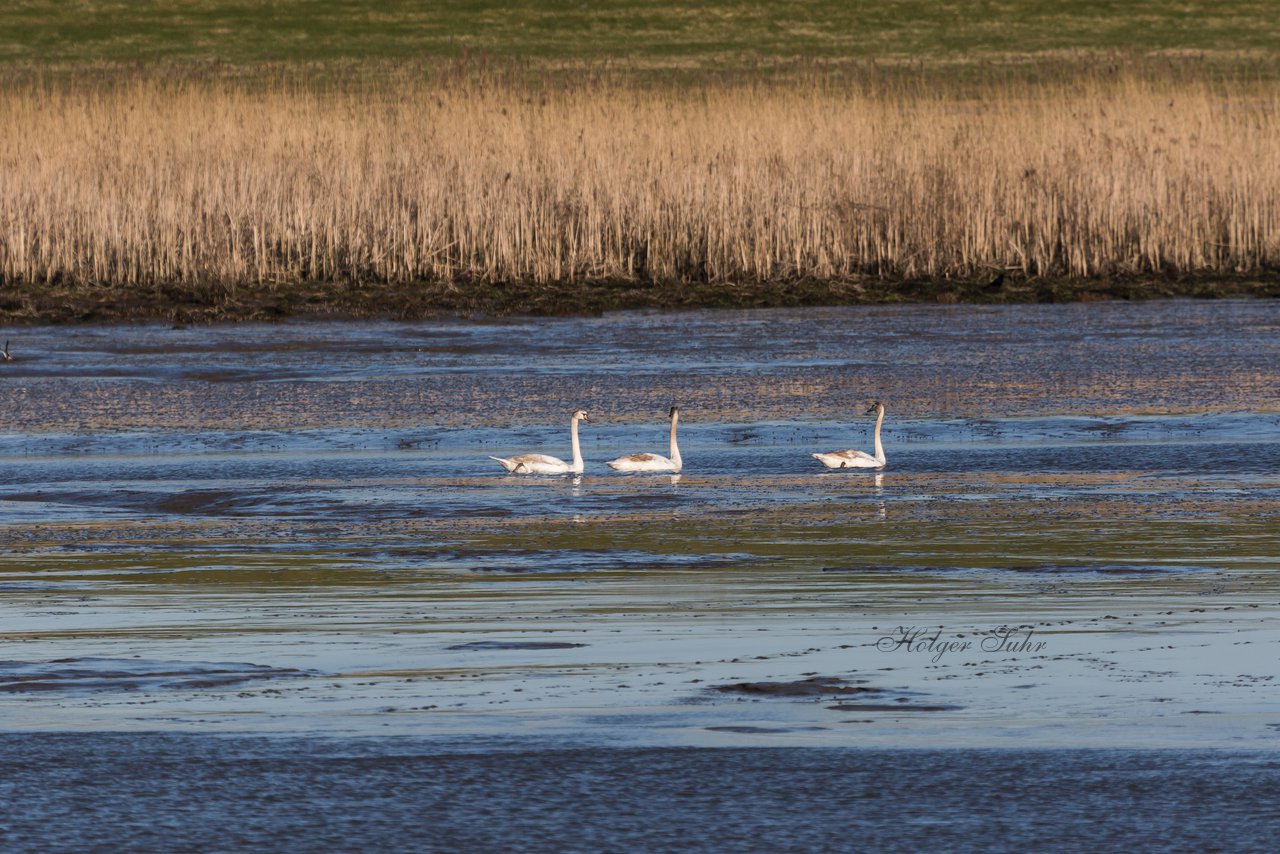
[205, 182]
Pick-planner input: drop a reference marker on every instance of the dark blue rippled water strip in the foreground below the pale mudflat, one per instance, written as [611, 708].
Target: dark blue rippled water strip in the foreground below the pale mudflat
[181, 793]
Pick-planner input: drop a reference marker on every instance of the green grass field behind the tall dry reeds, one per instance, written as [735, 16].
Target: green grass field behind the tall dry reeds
[638, 34]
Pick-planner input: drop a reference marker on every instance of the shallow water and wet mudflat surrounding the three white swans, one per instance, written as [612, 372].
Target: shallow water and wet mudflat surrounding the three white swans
[280, 529]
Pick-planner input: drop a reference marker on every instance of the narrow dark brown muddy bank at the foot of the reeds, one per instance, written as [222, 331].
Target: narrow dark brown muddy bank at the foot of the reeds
[28, 304]
